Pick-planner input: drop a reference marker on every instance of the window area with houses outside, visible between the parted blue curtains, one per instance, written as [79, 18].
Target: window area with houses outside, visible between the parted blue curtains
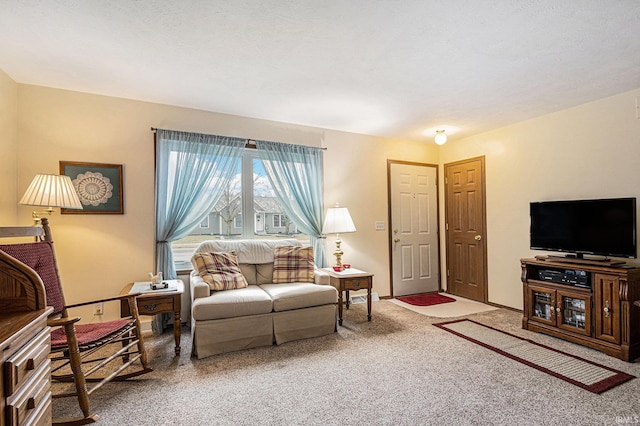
[250, 191]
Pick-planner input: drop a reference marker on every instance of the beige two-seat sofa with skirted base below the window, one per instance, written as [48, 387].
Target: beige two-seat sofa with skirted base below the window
[262, 313]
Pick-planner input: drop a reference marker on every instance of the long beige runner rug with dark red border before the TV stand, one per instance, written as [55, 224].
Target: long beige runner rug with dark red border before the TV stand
[578, 371]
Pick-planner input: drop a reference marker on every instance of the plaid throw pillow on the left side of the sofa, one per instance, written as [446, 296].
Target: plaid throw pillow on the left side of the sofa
[220, 270]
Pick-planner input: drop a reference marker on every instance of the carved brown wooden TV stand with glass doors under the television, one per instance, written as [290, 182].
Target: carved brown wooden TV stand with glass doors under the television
[592, 305]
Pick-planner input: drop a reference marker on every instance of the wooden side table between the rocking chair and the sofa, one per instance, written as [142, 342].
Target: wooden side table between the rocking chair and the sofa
[153, 302]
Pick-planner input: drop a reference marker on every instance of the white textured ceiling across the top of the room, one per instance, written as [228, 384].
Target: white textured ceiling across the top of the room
[396, 68]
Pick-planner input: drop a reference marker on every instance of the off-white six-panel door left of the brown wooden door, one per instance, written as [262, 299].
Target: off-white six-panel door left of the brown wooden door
[414, 228]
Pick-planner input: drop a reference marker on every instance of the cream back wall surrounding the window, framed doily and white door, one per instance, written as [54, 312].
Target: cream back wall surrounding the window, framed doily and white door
[99, 254]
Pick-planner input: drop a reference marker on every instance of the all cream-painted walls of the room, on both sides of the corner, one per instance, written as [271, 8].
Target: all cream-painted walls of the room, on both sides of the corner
[589, 151]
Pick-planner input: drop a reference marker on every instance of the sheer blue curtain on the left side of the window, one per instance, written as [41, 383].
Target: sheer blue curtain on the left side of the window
[192, 171]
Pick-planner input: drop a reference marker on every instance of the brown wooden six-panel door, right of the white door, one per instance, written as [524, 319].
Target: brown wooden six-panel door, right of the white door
[465, 229]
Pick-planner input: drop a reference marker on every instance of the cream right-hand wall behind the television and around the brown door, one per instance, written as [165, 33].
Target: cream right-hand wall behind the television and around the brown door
[590, 151]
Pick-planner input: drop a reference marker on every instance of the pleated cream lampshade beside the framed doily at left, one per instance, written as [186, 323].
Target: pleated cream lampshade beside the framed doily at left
[51, 191]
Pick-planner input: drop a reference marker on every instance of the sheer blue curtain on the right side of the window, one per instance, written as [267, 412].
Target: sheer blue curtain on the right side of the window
[296, 175]
